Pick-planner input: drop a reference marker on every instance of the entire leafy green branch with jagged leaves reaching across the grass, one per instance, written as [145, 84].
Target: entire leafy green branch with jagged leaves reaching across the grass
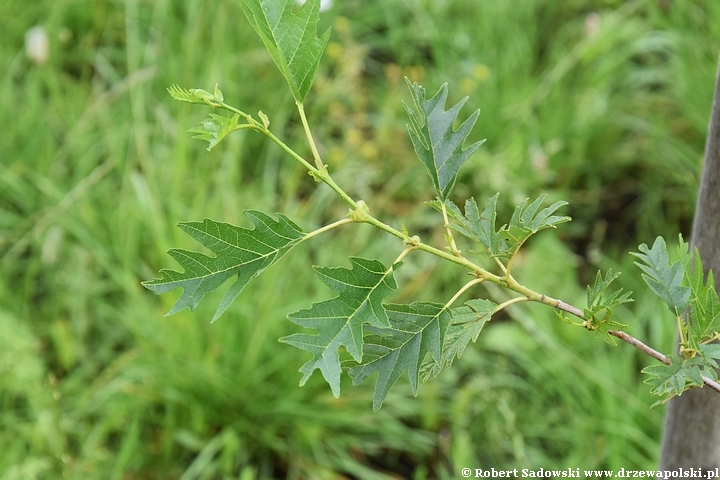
[356, 320]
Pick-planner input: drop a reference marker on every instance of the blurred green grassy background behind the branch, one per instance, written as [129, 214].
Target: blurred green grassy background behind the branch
[602, 103]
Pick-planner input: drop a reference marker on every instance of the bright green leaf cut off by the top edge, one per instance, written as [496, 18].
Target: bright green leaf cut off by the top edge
[291, 39]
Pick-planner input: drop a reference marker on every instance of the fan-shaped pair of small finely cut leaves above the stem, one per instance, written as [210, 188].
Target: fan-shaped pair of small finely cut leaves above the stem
[504, 242]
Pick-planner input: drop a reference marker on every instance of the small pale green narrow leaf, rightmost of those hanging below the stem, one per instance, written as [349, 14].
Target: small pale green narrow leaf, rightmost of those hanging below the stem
[466, 324]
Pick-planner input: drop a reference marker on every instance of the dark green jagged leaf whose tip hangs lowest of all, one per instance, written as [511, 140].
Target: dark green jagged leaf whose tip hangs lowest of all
[416, 329]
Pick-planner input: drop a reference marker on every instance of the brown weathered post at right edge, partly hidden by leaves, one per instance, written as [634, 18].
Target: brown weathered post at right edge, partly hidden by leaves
[691, 437]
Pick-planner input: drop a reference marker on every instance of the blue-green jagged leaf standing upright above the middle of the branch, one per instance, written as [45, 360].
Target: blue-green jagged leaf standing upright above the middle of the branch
[438, 146]
